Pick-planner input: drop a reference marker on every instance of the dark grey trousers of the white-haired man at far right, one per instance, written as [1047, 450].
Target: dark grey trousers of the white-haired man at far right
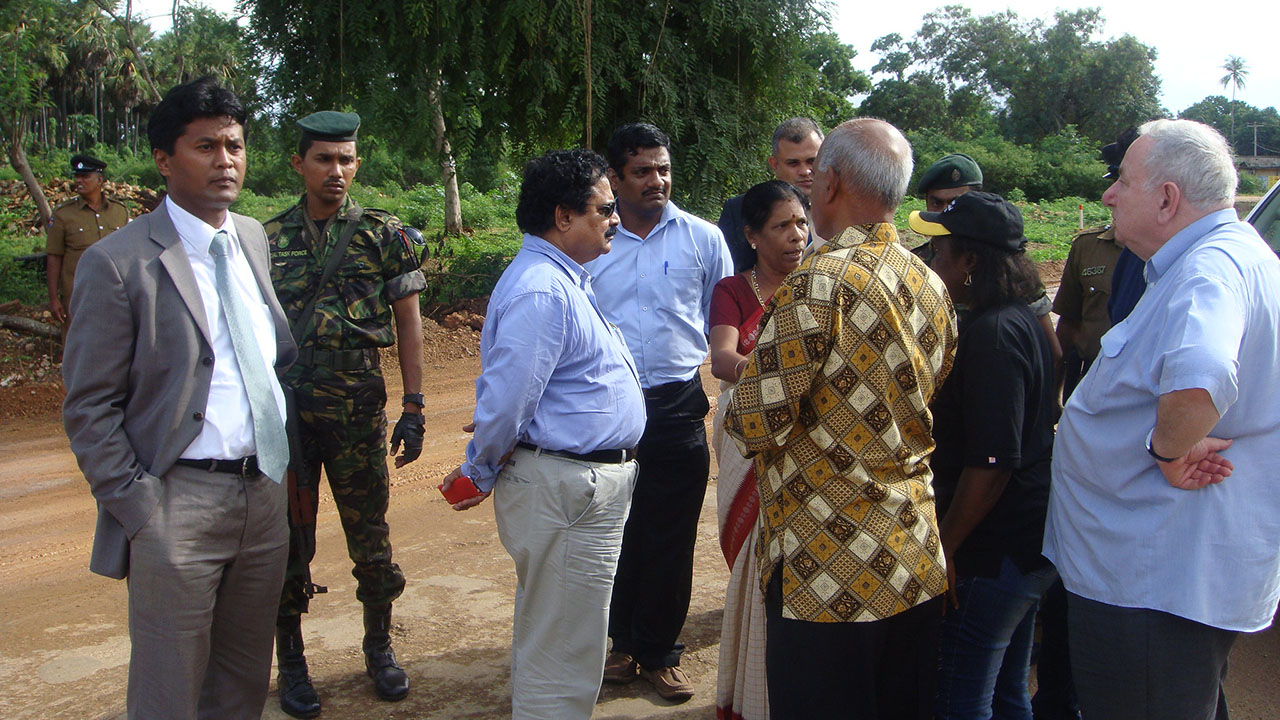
[1139, 664]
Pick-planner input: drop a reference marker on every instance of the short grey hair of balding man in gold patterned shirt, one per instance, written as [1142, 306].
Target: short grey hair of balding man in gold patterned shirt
[872, 157]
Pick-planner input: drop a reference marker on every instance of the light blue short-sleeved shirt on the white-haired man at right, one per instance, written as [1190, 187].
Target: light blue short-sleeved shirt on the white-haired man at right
[1117, 531]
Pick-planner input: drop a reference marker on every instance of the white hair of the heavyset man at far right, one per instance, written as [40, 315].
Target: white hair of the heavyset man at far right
[1194, 157]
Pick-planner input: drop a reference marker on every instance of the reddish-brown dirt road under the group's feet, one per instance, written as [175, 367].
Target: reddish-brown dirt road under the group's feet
[65, 641]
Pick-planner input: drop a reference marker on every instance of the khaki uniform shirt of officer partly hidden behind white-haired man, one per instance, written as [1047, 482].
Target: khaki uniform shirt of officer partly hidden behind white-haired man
[1086, 288]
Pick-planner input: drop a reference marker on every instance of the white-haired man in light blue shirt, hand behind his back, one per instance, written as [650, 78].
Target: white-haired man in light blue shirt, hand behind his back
[1165, 518]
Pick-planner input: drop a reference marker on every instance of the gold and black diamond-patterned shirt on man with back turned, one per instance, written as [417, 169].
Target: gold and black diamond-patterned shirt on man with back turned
[835, 403]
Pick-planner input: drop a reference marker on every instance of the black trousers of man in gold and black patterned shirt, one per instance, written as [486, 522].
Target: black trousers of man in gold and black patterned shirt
[880, 671]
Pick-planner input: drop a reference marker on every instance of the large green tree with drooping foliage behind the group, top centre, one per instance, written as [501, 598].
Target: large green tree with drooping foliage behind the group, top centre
[514, 78]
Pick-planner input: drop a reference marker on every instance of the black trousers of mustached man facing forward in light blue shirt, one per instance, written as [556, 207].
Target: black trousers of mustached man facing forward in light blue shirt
[656, 569]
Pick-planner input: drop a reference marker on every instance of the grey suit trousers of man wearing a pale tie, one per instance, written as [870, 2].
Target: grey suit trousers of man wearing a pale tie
[205, 576]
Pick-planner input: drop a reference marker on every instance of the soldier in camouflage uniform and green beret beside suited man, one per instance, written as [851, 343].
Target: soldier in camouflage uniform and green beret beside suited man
[340, 390]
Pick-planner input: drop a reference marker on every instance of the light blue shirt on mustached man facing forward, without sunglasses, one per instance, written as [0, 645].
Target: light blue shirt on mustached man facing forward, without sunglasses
[659, 290]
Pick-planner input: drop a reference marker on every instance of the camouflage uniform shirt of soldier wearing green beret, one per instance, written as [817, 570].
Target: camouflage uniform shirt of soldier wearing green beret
[380, 267]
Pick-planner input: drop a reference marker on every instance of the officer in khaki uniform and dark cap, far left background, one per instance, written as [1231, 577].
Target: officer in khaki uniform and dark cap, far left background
[74, 227]
